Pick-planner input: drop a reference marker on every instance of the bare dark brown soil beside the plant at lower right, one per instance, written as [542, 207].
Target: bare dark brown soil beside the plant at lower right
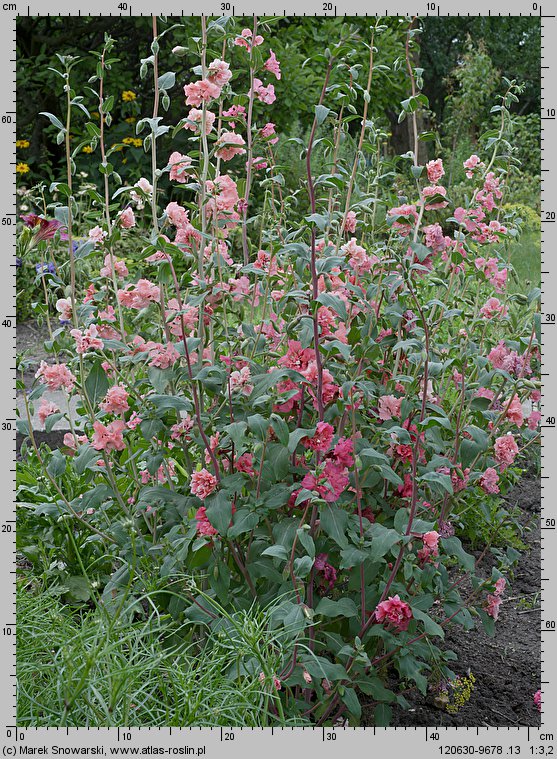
[506, 667]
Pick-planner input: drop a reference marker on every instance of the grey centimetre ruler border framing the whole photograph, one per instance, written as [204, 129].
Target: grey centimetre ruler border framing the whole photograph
[236, 742]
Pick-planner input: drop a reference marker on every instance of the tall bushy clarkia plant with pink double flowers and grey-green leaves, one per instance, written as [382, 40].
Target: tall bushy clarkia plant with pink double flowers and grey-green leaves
[300, 388]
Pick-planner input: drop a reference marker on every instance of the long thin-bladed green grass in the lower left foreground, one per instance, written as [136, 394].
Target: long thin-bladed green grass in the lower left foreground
[79, 668]
